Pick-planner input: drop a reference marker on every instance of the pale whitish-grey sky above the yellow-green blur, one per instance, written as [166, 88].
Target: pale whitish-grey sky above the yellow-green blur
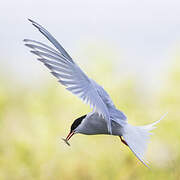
[144, 35]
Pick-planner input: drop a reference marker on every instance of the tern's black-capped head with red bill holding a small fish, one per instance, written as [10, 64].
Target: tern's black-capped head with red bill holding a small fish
[74, 127]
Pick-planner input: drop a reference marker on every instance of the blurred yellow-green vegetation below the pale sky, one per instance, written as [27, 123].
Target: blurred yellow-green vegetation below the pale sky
[32, 122]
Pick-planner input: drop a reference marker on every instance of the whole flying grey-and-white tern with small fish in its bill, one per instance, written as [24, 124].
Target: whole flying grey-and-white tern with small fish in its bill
[105, 118]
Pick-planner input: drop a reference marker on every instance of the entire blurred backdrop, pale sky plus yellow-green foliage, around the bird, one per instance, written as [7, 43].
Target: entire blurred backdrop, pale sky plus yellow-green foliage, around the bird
[131, 49]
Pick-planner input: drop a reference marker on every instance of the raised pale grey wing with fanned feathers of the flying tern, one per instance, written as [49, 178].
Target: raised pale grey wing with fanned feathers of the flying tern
[68, 73]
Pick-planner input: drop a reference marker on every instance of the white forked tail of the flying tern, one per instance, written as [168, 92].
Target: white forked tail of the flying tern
[137, 138]
